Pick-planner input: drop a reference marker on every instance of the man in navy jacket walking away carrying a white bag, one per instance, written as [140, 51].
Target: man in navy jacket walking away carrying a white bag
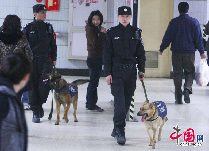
[185, 36]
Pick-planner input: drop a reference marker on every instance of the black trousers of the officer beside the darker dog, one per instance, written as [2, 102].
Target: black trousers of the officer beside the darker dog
[39, 90]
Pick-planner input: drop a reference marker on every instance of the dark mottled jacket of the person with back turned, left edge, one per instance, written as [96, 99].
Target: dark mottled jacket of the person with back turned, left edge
[14, 43]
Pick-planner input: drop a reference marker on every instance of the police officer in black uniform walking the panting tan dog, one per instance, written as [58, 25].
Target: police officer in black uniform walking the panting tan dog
[124, 49]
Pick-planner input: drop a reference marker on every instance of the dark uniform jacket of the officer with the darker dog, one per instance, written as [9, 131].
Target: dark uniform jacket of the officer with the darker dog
[41, 39]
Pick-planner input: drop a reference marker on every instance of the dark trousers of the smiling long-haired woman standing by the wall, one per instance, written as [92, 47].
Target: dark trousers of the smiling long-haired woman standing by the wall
[95, 69]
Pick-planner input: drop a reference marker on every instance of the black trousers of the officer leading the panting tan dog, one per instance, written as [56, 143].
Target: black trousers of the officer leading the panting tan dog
[122, 88]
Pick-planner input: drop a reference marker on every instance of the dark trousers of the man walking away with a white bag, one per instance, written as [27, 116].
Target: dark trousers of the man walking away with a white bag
[183, 64]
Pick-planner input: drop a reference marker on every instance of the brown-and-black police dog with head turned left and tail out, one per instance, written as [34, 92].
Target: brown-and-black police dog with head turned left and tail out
[65, 94]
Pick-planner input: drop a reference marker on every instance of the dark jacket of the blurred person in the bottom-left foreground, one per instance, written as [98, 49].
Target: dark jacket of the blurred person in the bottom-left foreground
[13, 128]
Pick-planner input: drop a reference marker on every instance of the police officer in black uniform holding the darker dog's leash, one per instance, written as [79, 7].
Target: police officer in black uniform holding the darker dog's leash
[42, 42]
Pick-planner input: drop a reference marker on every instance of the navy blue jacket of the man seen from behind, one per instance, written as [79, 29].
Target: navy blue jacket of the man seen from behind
[184, 34]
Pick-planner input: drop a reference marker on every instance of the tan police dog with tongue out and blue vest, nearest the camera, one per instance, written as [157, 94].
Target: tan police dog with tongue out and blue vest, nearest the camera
[154, 115]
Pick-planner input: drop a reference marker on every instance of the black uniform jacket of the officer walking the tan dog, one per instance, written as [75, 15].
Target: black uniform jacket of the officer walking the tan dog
[124, 45]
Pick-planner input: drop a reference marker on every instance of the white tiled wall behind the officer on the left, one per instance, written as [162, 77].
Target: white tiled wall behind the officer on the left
[59, 20]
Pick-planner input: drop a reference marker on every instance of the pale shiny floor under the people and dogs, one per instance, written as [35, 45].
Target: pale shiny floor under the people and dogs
[92, 132]
